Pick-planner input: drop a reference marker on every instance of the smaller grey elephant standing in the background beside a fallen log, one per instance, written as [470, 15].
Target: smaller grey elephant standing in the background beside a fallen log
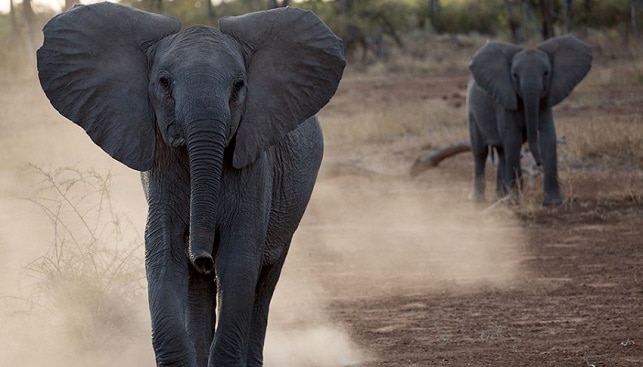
[510, 97]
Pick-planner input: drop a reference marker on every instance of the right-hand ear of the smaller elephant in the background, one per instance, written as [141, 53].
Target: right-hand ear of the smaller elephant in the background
[571, 60]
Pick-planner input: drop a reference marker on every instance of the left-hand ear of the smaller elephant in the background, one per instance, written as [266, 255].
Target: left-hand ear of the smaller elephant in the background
[491, 69]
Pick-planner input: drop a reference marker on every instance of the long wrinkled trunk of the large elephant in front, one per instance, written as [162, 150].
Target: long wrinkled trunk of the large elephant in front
[205, 141]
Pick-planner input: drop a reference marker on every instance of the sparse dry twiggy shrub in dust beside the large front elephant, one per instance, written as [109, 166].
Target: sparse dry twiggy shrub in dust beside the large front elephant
[91, 279]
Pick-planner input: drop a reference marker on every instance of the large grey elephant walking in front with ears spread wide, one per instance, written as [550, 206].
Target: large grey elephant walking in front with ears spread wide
[222, 123]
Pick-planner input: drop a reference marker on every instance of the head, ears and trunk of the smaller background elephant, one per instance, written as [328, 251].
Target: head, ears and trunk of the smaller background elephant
[532, 79]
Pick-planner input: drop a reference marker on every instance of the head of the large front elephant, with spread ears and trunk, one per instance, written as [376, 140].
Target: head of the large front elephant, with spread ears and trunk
[138, 86]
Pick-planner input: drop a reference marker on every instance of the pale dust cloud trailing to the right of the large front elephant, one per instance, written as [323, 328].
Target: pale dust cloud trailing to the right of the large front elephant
[365, 238]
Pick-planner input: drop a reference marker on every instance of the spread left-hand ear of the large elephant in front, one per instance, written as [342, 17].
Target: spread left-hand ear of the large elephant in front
[93, 68]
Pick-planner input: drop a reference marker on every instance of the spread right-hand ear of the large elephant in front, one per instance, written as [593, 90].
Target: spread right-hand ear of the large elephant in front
[294, 64]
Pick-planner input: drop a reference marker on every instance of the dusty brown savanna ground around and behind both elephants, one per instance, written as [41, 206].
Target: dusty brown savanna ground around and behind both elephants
[385, 270]
